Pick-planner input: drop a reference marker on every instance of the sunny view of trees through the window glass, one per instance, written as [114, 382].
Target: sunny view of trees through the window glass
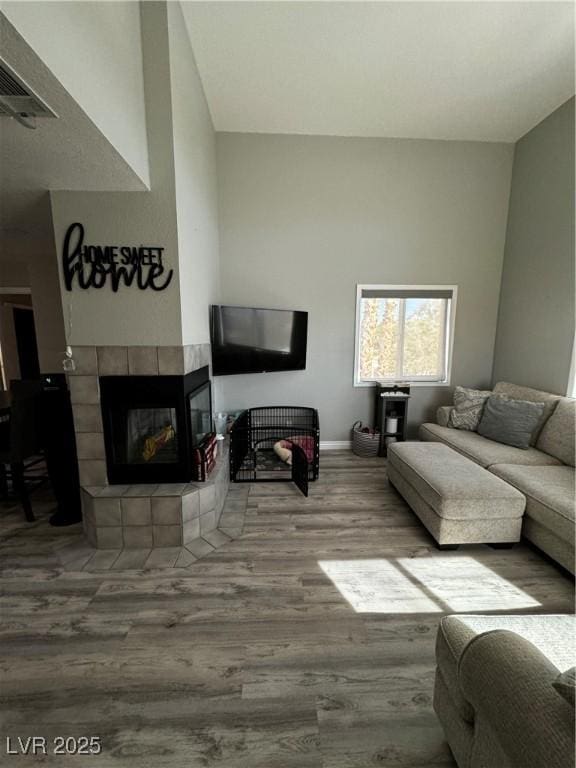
[402, 338]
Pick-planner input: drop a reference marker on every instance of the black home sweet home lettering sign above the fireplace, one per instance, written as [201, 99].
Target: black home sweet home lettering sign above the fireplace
[94, 266]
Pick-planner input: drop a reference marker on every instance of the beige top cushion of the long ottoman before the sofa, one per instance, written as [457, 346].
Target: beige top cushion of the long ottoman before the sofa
[455, 487]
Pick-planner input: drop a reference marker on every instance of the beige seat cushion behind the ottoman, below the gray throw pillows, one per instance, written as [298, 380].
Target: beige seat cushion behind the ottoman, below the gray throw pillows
[483, 451]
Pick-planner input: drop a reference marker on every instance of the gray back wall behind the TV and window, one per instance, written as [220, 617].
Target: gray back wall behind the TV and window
[304, 219]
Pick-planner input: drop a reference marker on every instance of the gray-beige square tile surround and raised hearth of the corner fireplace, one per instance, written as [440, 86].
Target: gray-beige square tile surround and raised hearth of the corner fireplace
[146, 515]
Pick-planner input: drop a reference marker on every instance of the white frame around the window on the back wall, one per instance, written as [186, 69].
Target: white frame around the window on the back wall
[415, 381]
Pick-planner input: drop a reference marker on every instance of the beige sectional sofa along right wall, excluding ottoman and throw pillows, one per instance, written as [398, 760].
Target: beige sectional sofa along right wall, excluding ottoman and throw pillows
[544, 473]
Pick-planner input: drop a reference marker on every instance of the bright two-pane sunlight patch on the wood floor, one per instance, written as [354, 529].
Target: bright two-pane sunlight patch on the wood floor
[423, 585]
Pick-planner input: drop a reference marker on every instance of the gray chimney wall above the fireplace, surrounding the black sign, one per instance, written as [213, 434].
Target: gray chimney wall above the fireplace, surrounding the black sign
[179, 213]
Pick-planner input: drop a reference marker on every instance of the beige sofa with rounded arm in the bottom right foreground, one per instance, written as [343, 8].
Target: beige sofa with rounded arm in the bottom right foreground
[494, 692]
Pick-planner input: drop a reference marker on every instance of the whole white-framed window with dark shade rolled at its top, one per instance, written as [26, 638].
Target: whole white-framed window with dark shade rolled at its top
[404, 333]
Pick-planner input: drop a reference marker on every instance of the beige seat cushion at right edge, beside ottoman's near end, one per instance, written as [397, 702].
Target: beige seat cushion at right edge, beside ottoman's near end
[549, 492]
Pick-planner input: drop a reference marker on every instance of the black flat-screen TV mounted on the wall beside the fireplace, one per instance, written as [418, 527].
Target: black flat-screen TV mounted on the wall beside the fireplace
[252, 340]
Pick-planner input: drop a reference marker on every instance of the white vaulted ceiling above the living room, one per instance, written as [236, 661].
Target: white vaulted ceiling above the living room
[485, 71]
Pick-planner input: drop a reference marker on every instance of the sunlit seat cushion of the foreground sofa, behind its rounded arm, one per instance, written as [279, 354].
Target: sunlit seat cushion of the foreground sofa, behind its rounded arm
[551, 634]
